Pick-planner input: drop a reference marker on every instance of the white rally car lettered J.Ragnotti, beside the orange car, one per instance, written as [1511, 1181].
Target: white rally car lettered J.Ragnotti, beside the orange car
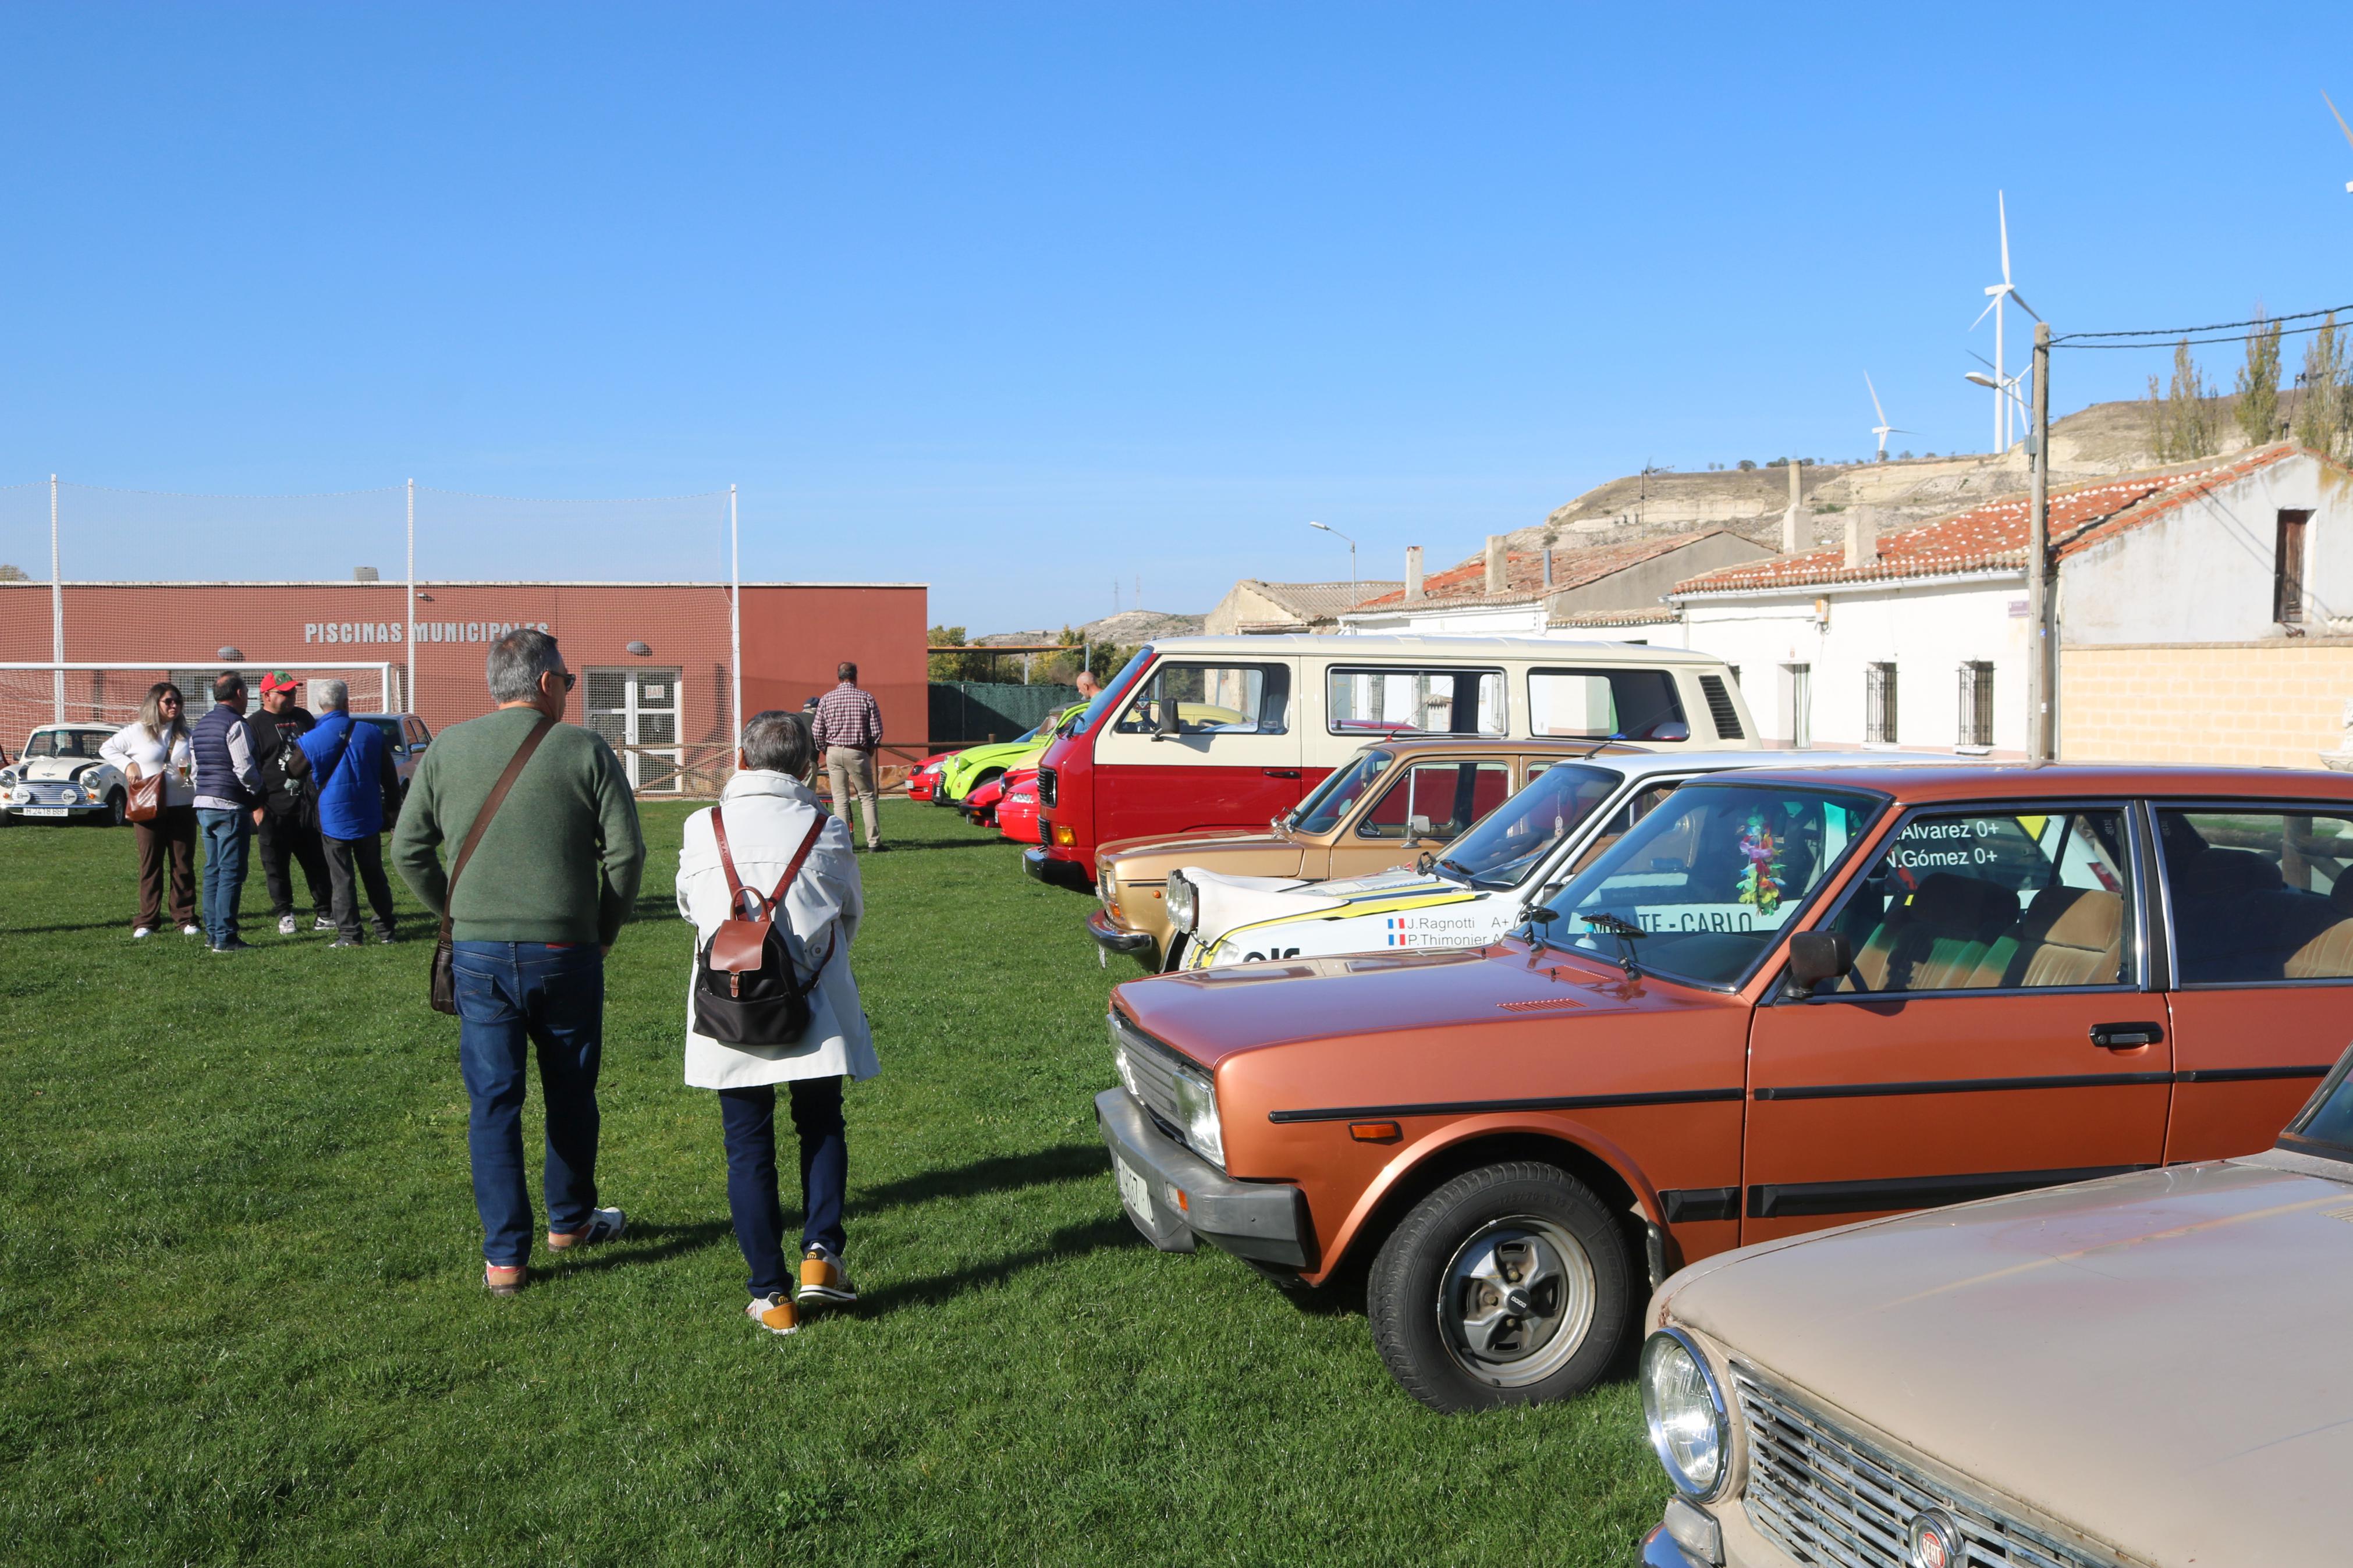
[1479, 887]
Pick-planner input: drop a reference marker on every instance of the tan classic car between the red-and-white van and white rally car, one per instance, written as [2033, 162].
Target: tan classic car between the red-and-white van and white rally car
[1382, 808]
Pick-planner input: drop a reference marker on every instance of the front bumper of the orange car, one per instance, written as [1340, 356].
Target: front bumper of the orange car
[1185, 1198]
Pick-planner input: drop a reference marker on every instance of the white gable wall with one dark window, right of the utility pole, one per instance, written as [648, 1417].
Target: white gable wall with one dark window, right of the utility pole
[2204, 572]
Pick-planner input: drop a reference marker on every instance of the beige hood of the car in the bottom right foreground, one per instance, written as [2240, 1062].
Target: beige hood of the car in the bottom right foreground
[2154, 1360]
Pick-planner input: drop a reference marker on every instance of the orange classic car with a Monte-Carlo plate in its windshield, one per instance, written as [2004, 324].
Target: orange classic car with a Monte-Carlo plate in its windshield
[1785, 1000]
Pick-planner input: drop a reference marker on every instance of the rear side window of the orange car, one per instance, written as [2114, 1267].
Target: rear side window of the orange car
[2260, 894]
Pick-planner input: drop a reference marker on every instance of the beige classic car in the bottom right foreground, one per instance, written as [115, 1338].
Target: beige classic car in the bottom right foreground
[2121, 1372]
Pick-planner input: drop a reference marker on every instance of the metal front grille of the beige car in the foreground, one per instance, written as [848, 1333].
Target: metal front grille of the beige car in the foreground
[1829, 1499]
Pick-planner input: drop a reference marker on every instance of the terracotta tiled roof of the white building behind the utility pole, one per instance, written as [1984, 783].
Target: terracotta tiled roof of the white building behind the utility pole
[1994, 537]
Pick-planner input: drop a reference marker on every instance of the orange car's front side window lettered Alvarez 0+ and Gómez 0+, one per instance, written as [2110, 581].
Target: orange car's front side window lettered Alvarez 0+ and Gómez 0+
[1994, 902]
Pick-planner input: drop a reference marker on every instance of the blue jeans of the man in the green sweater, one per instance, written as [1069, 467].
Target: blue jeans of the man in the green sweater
[509, 998]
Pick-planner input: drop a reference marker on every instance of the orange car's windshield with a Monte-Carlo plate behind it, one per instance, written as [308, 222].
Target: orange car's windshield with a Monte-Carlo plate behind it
[1707, 880]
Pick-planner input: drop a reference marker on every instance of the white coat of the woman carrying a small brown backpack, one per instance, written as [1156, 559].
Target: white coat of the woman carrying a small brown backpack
[768, 815]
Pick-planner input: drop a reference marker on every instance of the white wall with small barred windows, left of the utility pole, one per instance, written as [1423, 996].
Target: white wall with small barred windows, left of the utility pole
[1928, 631]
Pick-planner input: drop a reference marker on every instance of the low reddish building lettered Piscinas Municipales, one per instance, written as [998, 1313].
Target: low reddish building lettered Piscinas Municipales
[653, 657]
